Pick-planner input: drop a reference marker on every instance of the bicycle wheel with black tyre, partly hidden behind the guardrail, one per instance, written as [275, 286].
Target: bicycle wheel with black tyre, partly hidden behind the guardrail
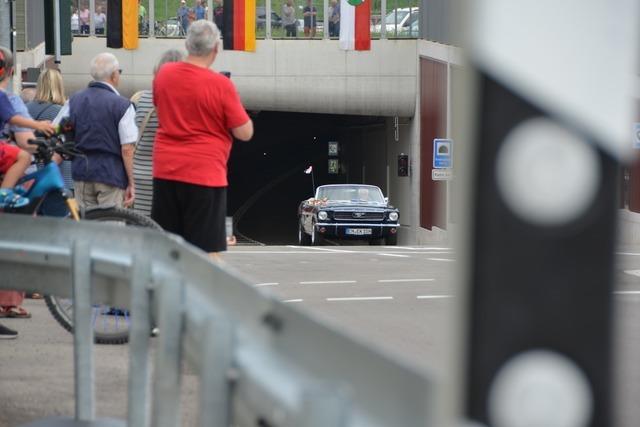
[110, 324]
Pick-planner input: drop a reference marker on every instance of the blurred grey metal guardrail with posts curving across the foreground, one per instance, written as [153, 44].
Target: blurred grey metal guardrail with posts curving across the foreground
[260, 362]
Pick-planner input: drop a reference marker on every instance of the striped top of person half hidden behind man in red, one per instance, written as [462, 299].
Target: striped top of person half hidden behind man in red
[142, 158]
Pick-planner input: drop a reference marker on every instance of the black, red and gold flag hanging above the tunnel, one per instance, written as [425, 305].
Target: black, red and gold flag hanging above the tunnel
[239, 25]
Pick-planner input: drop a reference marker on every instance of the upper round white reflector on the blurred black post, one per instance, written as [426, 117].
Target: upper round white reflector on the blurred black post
[546, 174]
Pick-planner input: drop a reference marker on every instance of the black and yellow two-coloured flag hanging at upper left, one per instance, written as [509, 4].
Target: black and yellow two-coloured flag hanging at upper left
[122, 24]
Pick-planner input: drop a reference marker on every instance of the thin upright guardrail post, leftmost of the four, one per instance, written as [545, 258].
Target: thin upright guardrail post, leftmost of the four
[83, 331]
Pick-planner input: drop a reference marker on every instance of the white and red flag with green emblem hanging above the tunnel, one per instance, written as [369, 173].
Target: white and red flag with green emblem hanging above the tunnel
[355, 21]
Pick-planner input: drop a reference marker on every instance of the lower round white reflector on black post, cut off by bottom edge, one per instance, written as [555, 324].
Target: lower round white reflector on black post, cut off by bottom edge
[540, 388]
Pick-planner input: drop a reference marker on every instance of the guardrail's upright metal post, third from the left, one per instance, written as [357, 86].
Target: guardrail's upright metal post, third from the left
[166, 407]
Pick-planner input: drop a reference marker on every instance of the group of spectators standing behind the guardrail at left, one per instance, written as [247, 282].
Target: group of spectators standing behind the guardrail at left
[166, 158]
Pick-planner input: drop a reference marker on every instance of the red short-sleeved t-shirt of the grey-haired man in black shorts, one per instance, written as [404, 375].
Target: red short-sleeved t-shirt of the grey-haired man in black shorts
[196, 109]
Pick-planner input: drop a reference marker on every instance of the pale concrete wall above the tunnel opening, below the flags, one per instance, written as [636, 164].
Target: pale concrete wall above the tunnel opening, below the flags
[312, 76]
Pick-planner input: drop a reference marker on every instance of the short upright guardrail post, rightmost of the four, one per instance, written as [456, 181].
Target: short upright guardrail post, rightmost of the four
[217, 356]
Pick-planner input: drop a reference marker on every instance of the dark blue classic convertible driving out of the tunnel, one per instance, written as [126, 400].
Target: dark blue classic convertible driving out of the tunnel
[347, 211]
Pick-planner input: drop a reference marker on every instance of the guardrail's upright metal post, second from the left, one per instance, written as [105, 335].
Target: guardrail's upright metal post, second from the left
[139, 403]
